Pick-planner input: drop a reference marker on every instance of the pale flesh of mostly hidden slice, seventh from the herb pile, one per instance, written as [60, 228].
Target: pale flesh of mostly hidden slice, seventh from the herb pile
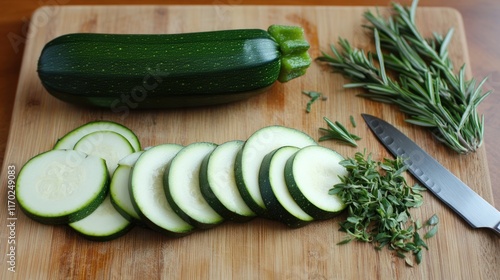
[119, 189]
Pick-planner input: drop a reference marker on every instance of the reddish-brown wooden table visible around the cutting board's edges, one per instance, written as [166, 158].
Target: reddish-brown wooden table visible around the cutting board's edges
[479, 17]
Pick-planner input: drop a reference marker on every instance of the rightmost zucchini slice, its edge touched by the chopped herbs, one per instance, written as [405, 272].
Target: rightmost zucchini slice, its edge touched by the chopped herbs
[310, 173]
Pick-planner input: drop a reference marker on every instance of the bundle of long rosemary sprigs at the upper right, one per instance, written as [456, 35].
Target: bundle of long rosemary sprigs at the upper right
[416, 74]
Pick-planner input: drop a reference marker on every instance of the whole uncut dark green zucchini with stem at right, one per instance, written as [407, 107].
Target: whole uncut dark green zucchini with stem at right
[121, 71]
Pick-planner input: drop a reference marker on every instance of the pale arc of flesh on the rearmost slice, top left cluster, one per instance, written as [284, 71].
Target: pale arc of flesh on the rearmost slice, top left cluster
[69, 140]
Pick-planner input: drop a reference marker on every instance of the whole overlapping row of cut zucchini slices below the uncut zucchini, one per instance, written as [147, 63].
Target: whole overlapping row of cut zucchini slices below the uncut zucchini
[100, 182]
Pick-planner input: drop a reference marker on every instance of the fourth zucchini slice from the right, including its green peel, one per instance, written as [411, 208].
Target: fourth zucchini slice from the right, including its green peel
[218, 183]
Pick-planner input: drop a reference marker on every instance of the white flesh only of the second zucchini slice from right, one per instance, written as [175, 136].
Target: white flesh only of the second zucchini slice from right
[277, 183]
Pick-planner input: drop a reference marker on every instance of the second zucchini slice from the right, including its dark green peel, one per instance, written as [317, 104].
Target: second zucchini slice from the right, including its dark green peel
[279, 203]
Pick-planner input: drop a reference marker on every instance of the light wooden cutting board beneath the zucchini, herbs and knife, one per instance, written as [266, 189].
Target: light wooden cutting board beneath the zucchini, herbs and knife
[259, 249]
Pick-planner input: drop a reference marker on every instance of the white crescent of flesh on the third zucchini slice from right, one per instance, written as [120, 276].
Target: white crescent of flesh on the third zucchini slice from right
[258, 145]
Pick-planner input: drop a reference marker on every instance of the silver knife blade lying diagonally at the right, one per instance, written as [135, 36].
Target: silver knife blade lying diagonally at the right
[440, 181]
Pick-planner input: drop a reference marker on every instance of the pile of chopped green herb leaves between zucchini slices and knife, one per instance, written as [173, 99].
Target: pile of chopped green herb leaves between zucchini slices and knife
[378, 200]
